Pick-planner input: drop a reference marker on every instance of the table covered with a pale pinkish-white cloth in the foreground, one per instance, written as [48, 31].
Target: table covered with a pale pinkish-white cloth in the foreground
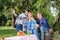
[26, 37]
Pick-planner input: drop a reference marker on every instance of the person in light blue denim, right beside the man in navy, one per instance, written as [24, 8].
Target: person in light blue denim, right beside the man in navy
[34, 27]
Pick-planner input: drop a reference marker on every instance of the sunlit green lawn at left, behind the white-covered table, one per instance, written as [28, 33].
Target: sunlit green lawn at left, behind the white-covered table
[7, 32]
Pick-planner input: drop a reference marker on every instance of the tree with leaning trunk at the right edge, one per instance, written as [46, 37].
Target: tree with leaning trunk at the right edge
[57, 18]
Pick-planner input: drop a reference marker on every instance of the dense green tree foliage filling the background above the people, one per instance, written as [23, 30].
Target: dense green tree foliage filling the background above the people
[6, 7]
